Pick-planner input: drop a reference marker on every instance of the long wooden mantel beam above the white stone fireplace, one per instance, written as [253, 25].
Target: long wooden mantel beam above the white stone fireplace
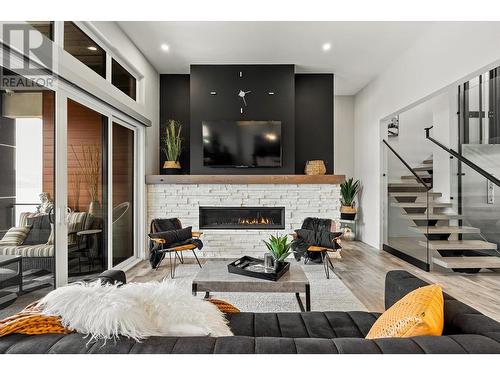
[331, 179]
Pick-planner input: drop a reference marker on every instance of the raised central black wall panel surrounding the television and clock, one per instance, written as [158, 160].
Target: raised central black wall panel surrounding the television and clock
[225, 80]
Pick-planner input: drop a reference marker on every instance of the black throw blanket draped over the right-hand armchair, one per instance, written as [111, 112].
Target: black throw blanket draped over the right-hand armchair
[314, 232]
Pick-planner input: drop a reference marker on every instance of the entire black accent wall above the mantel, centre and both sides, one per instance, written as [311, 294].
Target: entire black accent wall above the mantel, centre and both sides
[302, 102]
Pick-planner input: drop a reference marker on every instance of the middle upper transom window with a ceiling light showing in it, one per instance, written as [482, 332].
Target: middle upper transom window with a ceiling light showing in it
[82, 47]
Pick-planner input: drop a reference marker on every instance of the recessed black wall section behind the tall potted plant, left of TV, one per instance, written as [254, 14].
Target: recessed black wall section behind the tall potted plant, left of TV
[174, 104]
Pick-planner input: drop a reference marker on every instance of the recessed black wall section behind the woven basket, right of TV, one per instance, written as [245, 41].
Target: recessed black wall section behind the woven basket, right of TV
[313, 120]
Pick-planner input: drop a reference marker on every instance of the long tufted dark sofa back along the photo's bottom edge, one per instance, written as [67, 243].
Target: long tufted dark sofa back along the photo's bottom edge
[77, 343]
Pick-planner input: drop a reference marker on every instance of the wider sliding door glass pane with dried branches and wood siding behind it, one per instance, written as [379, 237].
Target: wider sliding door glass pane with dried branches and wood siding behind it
[87, 190]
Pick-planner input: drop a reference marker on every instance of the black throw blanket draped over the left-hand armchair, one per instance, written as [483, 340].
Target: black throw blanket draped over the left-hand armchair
[174, 226]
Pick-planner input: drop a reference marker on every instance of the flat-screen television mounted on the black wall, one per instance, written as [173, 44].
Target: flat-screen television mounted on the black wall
[242, 144]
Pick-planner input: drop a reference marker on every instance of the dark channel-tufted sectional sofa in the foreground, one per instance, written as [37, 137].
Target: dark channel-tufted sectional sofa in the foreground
[466, 331]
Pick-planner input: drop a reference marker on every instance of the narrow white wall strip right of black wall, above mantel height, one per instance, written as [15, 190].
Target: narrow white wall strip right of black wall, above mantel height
[343, 149]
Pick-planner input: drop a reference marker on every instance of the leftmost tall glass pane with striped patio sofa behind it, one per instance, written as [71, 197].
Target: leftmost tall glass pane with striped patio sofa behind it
[27, 187]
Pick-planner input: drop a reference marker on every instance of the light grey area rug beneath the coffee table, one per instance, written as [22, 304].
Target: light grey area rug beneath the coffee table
[326, 294]
